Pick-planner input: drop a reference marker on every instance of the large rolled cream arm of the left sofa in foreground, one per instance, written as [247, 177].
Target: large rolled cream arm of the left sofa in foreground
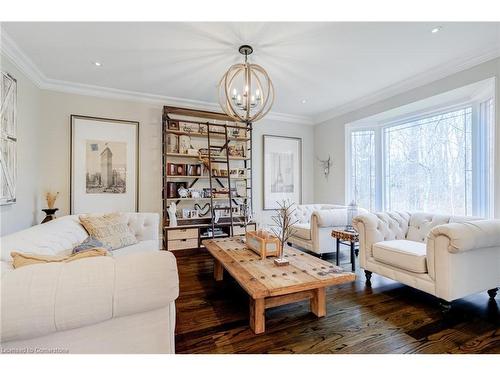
[41, 299]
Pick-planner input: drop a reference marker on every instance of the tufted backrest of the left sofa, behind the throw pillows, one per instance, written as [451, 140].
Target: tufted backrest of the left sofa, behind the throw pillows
[66, 232]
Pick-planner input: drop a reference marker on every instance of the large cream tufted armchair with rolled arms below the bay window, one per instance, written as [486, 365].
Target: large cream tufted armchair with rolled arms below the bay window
[449, 257]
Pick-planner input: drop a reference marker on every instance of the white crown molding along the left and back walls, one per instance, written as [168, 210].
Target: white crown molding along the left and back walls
[10, 49]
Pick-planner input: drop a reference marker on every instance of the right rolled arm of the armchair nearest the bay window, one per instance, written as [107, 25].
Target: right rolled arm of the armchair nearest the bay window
[467, 236]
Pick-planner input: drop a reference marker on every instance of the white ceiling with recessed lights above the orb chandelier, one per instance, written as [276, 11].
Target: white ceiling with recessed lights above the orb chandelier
[330, 65]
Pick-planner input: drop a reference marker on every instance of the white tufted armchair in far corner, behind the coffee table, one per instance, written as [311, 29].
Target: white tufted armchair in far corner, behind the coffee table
[315, 222]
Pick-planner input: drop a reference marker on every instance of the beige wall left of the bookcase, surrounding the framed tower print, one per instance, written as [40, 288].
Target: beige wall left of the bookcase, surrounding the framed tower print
[57, 107]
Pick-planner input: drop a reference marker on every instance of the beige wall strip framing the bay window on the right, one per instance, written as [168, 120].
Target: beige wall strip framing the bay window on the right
[329, 136]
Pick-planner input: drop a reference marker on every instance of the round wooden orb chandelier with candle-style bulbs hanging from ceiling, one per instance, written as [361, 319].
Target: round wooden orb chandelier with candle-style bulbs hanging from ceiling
[246, 93]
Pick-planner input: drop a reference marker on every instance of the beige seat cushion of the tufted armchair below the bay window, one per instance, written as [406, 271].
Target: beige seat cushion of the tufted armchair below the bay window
[408, 255]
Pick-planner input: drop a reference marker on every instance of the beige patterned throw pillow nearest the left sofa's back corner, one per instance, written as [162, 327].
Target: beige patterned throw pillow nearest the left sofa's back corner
[111, 229]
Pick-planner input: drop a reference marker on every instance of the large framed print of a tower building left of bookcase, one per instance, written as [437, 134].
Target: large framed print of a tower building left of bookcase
[104, 165]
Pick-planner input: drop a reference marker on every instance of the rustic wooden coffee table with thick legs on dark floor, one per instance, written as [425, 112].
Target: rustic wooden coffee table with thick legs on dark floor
[305, 278]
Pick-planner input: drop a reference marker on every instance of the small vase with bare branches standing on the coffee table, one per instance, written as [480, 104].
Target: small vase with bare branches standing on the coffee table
[283, 228]
